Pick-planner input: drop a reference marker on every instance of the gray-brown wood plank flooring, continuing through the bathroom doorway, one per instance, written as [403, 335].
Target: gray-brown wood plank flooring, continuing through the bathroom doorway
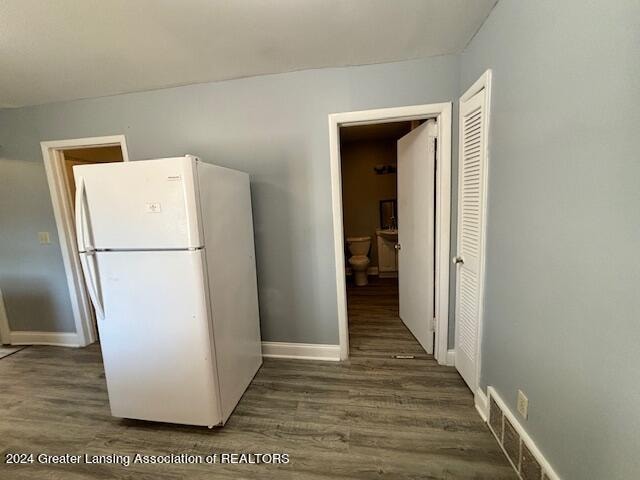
[372, 417]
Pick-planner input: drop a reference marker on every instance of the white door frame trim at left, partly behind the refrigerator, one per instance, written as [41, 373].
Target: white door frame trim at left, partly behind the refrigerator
[65, 223]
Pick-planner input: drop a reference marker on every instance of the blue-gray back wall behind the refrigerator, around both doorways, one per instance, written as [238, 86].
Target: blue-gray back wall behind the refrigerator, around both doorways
[274, 127]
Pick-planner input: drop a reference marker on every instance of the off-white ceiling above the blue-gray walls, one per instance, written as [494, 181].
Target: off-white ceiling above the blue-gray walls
[67, 49]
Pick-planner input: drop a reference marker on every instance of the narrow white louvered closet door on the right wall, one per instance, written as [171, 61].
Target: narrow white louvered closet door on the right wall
[471, 199]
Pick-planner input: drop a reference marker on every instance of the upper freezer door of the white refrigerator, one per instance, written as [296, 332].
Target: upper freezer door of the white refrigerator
[150, 204]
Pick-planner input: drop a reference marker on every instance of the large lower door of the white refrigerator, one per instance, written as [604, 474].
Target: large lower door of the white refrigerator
[156, 337]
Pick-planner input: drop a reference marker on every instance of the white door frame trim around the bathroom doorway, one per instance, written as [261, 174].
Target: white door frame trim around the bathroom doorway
[442, 113]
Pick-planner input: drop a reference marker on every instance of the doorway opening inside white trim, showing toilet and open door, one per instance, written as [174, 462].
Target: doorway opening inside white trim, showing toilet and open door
[376, 191]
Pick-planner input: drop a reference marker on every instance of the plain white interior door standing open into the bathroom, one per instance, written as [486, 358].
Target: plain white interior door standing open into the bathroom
[416, 225]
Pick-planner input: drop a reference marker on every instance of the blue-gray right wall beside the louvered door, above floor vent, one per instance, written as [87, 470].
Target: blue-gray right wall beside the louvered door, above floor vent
[562, 318]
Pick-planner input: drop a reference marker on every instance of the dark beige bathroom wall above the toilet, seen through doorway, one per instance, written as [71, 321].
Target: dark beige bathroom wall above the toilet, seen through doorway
[362, 189]
